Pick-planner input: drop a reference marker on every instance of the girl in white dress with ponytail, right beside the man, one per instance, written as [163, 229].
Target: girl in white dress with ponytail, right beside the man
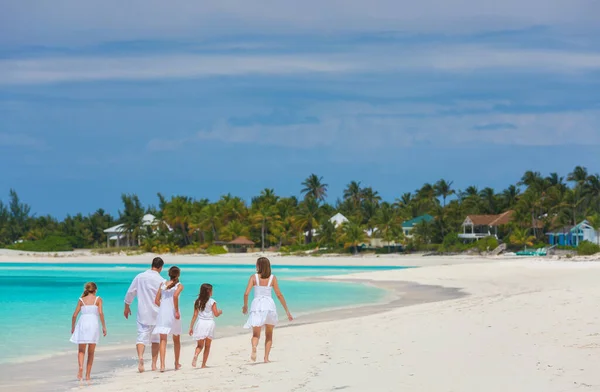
[168, 321]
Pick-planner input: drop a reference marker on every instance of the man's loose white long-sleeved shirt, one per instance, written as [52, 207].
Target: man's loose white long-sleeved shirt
[145, 286]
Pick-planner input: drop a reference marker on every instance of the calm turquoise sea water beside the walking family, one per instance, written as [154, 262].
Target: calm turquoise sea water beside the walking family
[37, 300]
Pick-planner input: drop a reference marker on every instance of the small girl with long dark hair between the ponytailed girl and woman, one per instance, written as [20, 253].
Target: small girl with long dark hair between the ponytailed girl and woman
[205, 310]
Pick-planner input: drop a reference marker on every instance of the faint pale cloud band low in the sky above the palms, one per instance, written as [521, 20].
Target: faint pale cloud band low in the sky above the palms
[358, 132]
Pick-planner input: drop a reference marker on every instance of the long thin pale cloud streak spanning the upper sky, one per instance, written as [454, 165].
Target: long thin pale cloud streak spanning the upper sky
[363, 60]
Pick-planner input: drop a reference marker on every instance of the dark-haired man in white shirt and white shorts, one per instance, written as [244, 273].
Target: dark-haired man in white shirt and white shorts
[145, 286]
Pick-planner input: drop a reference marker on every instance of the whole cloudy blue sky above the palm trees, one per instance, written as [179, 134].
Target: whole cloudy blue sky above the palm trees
[204, 99]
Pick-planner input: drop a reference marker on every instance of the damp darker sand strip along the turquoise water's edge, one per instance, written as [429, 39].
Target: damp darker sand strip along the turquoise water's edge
[113, 359]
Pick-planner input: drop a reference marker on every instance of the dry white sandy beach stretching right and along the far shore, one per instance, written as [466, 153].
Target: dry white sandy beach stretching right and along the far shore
[526, 325]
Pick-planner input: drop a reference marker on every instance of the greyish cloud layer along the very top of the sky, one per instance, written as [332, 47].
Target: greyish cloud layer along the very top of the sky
[72, 21]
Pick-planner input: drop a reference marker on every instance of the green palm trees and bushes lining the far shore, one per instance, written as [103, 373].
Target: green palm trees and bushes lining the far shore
[296, 224]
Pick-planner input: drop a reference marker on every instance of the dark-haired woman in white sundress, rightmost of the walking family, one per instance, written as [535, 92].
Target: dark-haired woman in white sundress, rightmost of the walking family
[263, 311]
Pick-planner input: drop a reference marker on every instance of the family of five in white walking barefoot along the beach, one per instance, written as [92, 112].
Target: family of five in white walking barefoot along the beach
[158, 315]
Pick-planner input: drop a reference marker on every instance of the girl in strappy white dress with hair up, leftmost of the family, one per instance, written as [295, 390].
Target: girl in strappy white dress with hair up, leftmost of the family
[86, 332]
